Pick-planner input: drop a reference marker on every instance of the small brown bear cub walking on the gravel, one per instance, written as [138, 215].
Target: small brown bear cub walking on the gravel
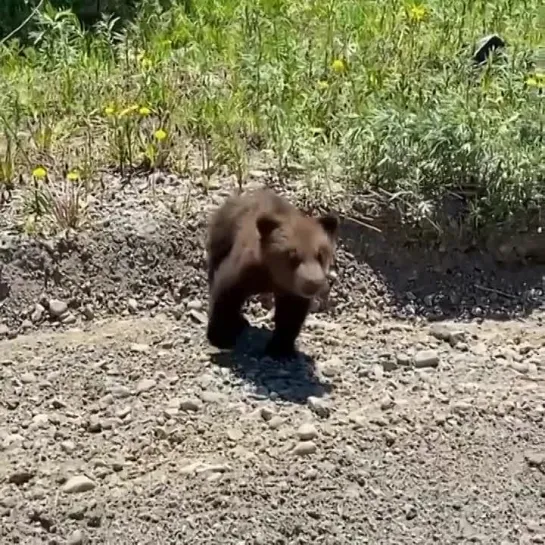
[260, 243]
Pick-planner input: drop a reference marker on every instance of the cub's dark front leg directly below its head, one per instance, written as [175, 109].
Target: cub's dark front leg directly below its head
[290, 314]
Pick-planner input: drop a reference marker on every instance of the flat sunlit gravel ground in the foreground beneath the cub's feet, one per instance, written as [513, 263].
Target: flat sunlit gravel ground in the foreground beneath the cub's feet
[133, 431]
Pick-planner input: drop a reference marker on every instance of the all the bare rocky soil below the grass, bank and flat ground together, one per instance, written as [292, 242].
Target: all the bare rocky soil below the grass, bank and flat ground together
[414, 414]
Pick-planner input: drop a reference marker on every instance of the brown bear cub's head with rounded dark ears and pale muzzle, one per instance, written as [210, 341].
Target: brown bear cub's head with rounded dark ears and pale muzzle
[298, 251]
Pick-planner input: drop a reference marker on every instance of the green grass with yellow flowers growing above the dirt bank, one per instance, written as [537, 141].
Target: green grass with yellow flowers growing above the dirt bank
[378, 94]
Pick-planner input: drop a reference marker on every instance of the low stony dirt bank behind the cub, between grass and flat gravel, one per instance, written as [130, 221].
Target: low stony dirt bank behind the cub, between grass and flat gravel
[143, 251]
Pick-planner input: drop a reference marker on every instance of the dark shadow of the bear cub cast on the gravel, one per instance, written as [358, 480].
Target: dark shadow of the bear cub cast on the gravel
[293, 380]
